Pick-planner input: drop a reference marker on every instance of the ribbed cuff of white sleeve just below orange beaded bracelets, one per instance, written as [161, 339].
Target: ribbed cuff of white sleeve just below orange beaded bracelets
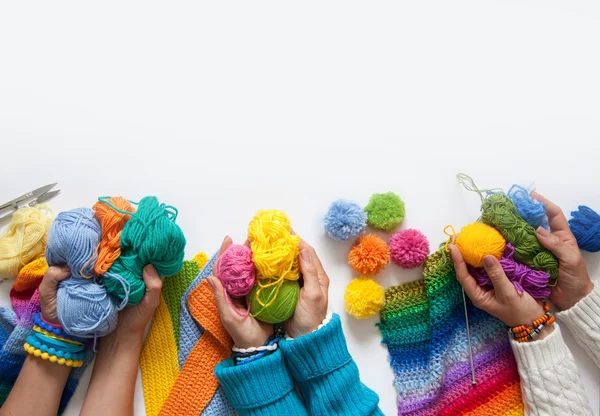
[537, 356]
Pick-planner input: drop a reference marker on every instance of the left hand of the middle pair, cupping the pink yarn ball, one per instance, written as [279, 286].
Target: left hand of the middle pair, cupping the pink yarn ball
[246, 332]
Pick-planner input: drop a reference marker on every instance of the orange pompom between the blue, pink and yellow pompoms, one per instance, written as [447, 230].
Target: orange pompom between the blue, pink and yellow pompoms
[370, 255]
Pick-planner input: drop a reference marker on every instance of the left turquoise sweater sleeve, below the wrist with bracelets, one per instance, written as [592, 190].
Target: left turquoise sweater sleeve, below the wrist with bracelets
[263, 387]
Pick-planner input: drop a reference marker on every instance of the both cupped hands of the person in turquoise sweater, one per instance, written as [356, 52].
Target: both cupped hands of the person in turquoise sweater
[311, 308]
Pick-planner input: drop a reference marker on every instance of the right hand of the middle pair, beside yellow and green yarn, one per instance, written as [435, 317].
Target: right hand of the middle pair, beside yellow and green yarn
[314, 295]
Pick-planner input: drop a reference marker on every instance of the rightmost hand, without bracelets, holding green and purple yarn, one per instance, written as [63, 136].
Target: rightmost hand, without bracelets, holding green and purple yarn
[573, 282]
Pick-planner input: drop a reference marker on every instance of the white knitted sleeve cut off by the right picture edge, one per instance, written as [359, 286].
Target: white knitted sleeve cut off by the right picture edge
[583, 320]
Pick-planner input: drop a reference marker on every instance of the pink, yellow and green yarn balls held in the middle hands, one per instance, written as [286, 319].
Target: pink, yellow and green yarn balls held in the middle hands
[266, 273]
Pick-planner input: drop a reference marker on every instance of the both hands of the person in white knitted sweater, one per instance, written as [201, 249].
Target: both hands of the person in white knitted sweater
[514, 308]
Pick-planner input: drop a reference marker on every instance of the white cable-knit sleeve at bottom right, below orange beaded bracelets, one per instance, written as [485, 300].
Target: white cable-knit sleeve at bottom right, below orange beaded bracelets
[549, 378]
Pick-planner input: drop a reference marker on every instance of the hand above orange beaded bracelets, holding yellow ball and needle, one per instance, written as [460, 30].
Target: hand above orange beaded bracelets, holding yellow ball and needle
[503, 301]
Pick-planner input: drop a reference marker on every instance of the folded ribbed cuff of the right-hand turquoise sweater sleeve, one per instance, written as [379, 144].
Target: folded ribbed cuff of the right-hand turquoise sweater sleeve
[317, 353]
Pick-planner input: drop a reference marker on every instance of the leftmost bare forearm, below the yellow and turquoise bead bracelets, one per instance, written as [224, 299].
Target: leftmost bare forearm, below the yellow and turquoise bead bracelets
[40, 379]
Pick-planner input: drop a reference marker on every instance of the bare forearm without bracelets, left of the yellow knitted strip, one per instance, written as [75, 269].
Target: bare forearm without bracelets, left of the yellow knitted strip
[114, 376]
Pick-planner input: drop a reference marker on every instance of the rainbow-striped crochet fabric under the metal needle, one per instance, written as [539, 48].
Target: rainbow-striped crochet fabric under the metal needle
[423, 325]
